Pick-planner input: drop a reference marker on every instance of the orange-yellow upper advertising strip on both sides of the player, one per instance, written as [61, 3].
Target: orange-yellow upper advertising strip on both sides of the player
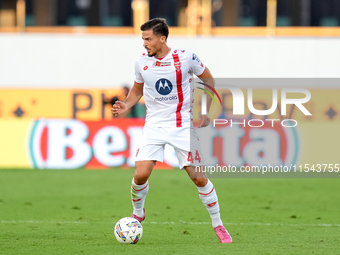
[95, 104]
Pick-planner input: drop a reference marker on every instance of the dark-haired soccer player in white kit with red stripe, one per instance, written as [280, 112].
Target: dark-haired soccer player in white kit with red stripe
[164, 76]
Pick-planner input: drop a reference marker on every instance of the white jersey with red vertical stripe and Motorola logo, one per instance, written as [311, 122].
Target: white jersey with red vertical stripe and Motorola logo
[167, 91]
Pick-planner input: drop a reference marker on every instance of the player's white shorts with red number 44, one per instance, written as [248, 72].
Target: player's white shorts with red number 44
[184, 140]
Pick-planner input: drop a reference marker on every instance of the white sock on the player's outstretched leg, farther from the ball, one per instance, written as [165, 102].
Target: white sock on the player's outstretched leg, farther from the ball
[209, 198]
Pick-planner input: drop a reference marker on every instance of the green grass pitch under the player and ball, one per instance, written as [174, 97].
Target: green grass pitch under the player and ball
[74, 212]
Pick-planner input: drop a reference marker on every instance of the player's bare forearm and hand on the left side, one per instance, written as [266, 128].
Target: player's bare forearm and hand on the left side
[133, 97]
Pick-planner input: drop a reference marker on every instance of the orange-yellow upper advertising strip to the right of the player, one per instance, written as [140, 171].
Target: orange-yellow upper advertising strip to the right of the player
[324, 105]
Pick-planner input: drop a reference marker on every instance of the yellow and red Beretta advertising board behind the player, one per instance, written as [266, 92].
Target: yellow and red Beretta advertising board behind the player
[71, 143]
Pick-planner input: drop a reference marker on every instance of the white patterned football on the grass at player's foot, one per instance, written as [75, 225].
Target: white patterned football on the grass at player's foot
[128, 230]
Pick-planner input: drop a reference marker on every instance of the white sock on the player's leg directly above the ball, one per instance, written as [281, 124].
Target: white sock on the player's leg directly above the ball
[138, 194]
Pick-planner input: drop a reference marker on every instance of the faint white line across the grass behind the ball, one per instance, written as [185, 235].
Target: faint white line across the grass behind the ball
[175, 223]
